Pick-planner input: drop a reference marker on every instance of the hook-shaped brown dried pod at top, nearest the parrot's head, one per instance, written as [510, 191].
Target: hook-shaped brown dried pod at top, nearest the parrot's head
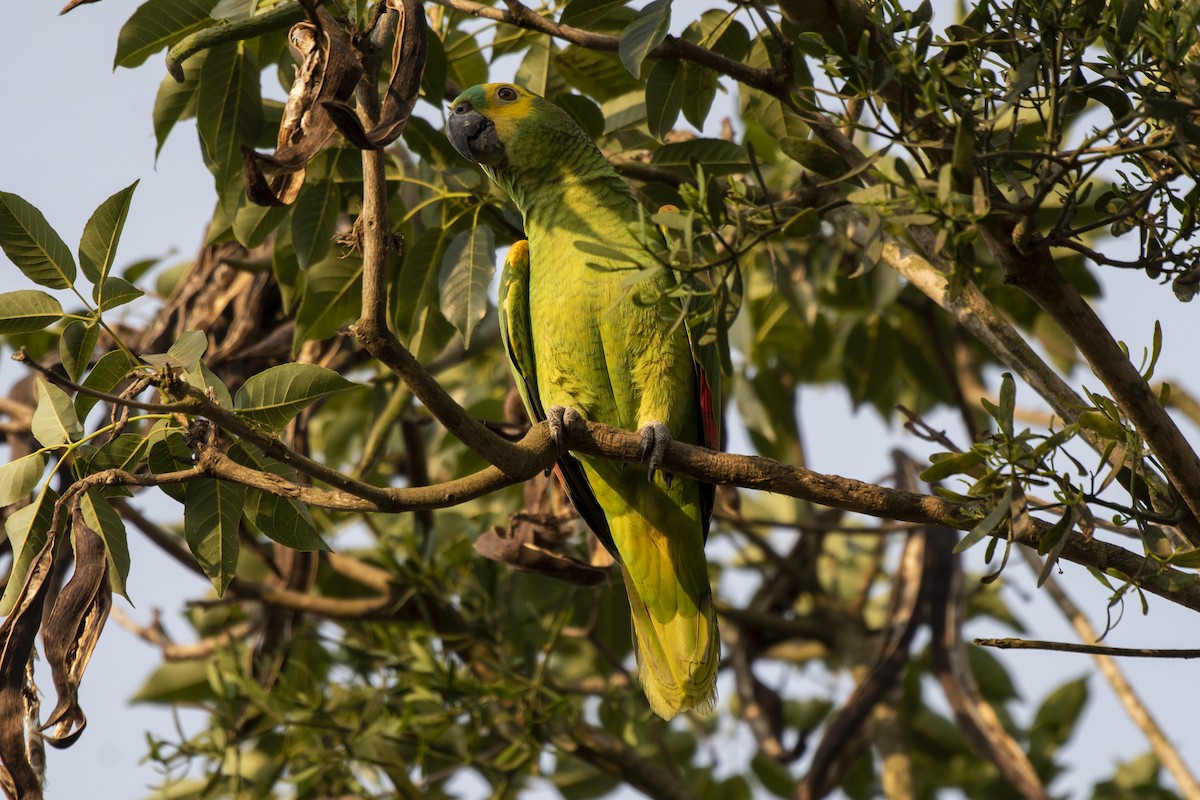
[407, 68]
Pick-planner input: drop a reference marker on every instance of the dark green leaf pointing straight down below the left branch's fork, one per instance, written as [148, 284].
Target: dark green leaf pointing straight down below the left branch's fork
[212, 516]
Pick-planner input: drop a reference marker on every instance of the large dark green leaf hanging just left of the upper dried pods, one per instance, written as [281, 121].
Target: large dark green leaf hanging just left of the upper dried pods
[229, 115]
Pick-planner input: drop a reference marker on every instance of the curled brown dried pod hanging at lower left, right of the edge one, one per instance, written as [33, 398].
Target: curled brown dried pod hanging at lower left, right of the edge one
[74, 629]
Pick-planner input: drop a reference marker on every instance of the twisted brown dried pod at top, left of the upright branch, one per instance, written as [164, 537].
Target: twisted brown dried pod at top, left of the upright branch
[328, 74]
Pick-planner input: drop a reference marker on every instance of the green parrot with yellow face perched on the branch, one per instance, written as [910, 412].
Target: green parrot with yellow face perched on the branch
[591, 333]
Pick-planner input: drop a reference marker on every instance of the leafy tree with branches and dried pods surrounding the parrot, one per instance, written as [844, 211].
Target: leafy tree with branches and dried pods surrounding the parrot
[916, 207]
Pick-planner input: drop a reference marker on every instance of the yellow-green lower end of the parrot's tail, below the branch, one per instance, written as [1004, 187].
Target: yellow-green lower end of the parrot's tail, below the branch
[679, 651]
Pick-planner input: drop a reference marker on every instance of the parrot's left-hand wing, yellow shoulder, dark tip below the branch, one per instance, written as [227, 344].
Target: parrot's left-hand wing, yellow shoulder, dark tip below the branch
[518, 338]
